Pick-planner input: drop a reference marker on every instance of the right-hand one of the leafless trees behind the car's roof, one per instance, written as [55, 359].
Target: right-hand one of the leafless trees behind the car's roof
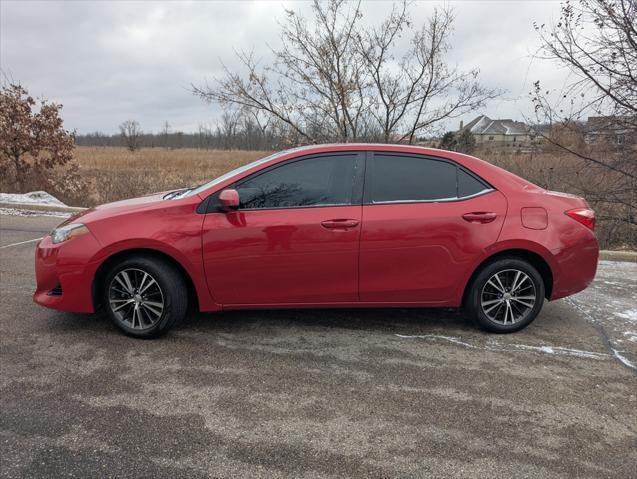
[418, 89]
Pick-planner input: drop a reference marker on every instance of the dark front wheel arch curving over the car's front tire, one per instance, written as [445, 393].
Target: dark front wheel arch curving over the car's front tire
[114, 258]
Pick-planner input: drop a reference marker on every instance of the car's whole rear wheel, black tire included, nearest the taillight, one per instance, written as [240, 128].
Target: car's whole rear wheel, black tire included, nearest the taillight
[494, 310]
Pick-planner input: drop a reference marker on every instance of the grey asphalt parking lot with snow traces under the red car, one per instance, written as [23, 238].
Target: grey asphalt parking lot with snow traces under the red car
[335, 393]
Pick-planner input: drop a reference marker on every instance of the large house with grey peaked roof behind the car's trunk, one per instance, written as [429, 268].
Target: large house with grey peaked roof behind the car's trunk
[499, 133]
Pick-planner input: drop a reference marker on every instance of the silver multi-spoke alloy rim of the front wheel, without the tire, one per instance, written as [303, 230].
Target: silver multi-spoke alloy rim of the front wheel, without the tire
[136, 298]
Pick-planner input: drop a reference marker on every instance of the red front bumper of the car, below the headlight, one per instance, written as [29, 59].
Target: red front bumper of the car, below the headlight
[64, 274]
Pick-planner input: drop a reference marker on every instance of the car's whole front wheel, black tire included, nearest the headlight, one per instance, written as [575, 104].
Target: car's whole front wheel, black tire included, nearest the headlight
[132, 311]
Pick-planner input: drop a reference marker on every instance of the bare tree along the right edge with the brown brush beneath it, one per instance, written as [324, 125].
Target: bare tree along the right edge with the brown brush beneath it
[596, 41]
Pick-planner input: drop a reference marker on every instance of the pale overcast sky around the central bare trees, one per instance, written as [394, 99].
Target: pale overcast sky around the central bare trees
[111, 61]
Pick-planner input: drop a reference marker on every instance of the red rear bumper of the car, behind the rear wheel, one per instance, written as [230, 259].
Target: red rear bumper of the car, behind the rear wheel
[576, 267]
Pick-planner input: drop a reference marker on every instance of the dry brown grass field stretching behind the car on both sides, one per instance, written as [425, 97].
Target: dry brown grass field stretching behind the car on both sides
[112, 173]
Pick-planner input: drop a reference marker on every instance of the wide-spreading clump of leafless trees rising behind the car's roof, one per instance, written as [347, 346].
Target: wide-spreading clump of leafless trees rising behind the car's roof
[335, 80]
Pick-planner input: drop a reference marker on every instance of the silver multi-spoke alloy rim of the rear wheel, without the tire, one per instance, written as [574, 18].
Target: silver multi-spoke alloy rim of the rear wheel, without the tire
[508, 296]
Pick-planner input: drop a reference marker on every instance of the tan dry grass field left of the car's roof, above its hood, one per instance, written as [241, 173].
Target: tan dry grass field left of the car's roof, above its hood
[116, 173]
